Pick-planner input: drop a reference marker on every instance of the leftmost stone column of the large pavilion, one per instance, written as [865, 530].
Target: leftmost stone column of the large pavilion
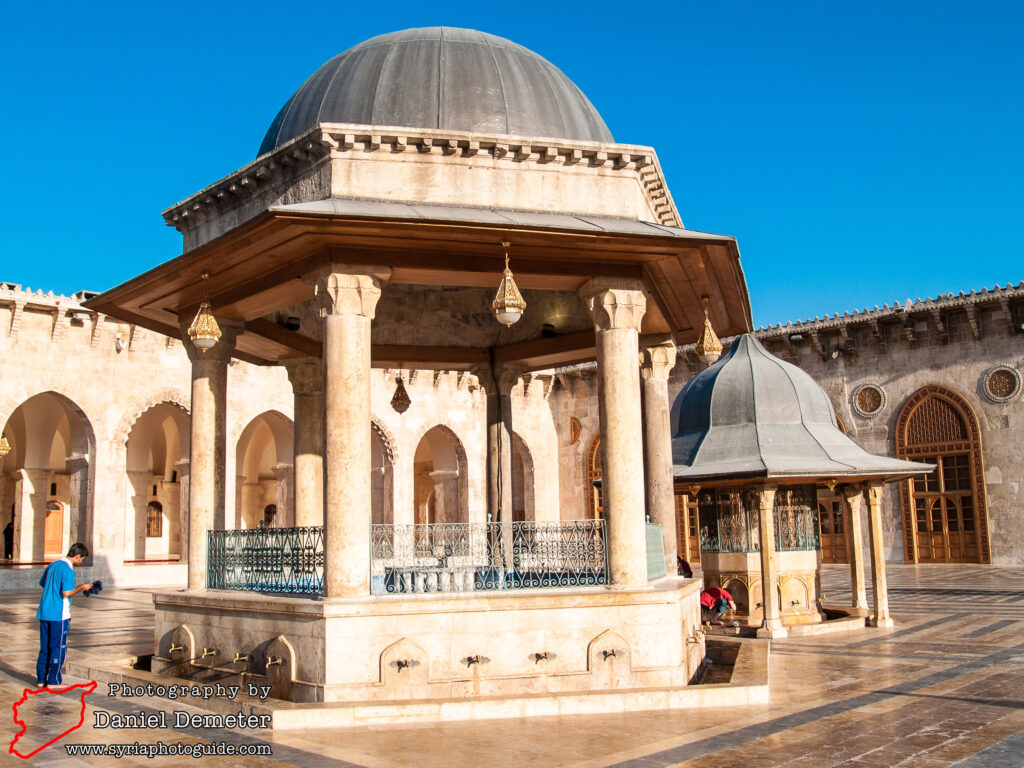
[207, 444]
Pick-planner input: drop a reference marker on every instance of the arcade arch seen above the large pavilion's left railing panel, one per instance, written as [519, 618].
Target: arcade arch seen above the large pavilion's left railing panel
[264, 465]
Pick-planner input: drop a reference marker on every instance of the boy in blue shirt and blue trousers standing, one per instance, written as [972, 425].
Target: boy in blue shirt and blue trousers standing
[55, 614]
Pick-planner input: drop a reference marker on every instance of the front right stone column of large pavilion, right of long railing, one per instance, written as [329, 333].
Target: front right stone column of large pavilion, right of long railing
[618, 307]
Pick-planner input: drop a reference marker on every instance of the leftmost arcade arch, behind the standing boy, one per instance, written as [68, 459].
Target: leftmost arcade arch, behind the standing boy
[47, 478]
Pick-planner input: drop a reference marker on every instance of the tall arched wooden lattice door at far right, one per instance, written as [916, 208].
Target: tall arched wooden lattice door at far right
[946, 519]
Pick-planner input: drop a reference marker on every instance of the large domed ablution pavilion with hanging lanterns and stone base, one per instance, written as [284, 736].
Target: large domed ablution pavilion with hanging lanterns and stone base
[407, 183]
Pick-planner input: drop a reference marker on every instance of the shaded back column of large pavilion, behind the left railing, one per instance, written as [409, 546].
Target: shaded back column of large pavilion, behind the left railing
[308, 385]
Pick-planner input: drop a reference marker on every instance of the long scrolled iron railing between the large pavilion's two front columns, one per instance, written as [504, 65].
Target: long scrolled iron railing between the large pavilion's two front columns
[468, 558]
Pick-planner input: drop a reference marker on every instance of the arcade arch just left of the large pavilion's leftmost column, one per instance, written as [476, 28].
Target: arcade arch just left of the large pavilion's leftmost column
[156, 457]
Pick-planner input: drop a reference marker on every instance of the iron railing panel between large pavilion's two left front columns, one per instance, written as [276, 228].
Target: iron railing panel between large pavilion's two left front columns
[289, 561]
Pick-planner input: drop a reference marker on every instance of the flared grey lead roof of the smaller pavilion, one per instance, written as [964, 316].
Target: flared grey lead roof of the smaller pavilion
[752, 415]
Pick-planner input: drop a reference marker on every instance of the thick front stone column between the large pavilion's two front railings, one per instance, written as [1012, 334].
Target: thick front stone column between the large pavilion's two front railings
[349, 298]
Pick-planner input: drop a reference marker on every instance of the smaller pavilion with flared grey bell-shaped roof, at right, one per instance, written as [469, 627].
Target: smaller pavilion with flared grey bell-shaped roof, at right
[754, 438]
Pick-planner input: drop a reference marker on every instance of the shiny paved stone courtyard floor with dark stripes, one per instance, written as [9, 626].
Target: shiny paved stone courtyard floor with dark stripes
[946, 688]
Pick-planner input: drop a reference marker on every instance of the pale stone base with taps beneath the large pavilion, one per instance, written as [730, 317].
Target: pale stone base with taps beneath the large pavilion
[437, 648]
